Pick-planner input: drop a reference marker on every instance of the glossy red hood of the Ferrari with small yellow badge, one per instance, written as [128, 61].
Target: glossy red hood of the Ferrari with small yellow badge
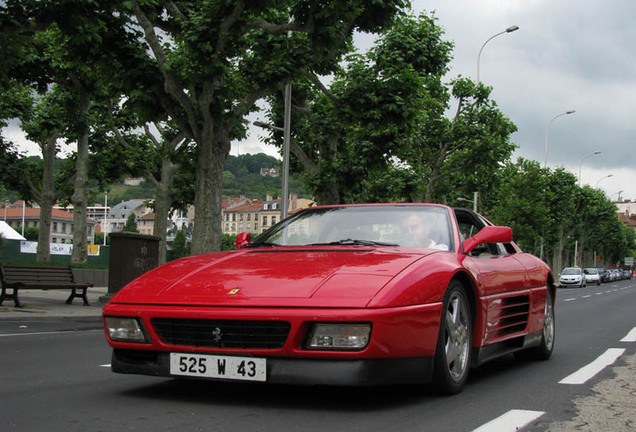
[281, 277]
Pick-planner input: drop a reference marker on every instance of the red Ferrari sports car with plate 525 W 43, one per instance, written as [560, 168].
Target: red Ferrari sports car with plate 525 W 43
[364, 294]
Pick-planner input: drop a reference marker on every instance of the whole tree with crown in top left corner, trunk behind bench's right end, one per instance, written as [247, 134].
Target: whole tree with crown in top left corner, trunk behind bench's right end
[75, 45]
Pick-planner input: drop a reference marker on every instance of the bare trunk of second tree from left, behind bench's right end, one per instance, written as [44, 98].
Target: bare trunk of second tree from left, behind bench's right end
[80, 192]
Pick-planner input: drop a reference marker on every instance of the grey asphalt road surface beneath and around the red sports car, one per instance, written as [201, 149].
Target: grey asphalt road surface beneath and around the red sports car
[54, 376]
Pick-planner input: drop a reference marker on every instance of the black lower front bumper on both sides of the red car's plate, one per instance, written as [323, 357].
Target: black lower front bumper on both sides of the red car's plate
[361, 372]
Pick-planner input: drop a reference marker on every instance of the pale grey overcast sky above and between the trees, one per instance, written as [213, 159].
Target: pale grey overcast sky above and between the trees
[566, 55]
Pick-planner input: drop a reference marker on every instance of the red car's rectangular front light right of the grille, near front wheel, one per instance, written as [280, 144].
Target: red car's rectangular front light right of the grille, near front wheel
[346, 337]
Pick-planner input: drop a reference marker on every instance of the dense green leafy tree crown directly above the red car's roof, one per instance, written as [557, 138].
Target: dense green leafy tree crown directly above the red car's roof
[380, 132]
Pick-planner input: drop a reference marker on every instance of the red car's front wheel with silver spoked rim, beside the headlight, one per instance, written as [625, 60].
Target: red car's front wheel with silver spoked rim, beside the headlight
[453, 350]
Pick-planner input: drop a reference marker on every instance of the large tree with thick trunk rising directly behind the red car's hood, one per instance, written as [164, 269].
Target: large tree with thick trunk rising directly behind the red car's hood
[221, 57]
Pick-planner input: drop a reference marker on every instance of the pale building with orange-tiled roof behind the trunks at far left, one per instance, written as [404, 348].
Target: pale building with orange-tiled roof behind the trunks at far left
[61, 223]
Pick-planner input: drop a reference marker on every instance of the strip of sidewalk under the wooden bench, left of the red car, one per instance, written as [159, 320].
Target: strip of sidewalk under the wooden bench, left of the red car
[44, 304]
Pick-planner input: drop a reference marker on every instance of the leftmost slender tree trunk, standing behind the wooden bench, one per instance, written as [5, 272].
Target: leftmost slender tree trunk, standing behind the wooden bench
[47, 200]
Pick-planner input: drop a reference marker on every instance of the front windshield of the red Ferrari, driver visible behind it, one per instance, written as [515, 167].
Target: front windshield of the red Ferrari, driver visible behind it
[379, 225]
